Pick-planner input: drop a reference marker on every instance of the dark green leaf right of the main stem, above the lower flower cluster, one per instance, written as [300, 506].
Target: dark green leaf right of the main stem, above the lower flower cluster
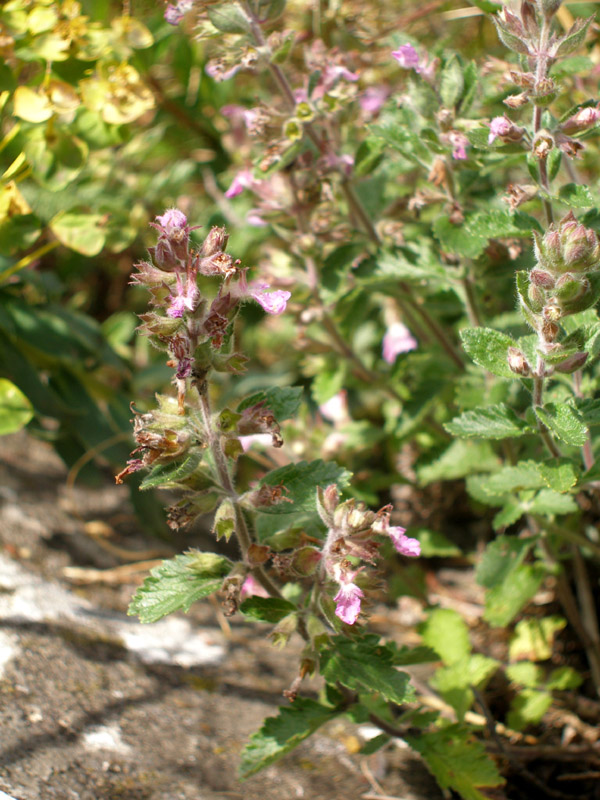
[301, 481]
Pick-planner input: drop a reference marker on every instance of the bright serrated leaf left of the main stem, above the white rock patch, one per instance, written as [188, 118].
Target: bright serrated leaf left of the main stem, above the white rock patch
[178, 583]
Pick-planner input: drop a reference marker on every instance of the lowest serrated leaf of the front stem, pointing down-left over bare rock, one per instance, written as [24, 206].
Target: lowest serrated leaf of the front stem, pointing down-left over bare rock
[279, 735]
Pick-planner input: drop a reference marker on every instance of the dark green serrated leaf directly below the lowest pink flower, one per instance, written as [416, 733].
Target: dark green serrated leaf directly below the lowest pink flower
[366, 665]
